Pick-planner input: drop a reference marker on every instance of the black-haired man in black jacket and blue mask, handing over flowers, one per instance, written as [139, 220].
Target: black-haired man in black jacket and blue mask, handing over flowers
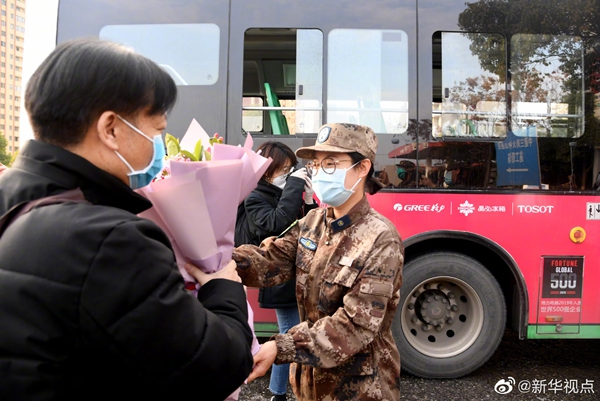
[91, 302]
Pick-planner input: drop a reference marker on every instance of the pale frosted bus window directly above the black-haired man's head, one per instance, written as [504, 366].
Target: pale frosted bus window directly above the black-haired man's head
[188, 52]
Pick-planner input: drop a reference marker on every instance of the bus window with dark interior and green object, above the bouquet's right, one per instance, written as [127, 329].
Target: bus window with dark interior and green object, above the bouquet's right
[284, 67]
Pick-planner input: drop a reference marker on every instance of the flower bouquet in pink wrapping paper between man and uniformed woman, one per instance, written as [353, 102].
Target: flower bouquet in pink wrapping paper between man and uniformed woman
[196, 196]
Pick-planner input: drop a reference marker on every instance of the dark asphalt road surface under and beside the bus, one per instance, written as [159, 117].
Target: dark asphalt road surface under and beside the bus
[573, 365]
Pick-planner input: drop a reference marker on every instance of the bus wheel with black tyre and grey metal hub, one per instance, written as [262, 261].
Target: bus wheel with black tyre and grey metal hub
[451, 316]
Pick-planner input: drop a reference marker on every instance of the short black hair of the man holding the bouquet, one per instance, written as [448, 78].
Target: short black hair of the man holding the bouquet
[83, 78]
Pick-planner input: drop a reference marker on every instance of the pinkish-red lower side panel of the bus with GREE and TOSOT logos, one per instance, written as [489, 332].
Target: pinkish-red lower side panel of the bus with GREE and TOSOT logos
[499, 218]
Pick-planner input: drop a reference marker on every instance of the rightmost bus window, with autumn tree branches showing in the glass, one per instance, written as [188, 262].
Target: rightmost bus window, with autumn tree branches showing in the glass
[547, 85]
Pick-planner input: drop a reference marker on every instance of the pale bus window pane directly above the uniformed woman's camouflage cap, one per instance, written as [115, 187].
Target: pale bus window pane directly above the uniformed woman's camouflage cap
[367, 78]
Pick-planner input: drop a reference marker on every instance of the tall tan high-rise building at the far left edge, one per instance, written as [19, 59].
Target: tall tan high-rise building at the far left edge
[12, 39]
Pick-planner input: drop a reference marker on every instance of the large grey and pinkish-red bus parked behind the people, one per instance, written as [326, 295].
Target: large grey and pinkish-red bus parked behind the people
[487, 114]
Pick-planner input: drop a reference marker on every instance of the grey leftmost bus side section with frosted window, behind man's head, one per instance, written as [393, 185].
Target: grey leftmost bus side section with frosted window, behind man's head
[189, 40]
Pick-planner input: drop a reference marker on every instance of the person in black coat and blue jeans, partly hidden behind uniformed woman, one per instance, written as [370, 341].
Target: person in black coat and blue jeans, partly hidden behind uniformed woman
[275, 204]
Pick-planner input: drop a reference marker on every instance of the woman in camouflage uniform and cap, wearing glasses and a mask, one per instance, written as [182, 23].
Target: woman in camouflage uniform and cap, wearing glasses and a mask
[347, 260]
